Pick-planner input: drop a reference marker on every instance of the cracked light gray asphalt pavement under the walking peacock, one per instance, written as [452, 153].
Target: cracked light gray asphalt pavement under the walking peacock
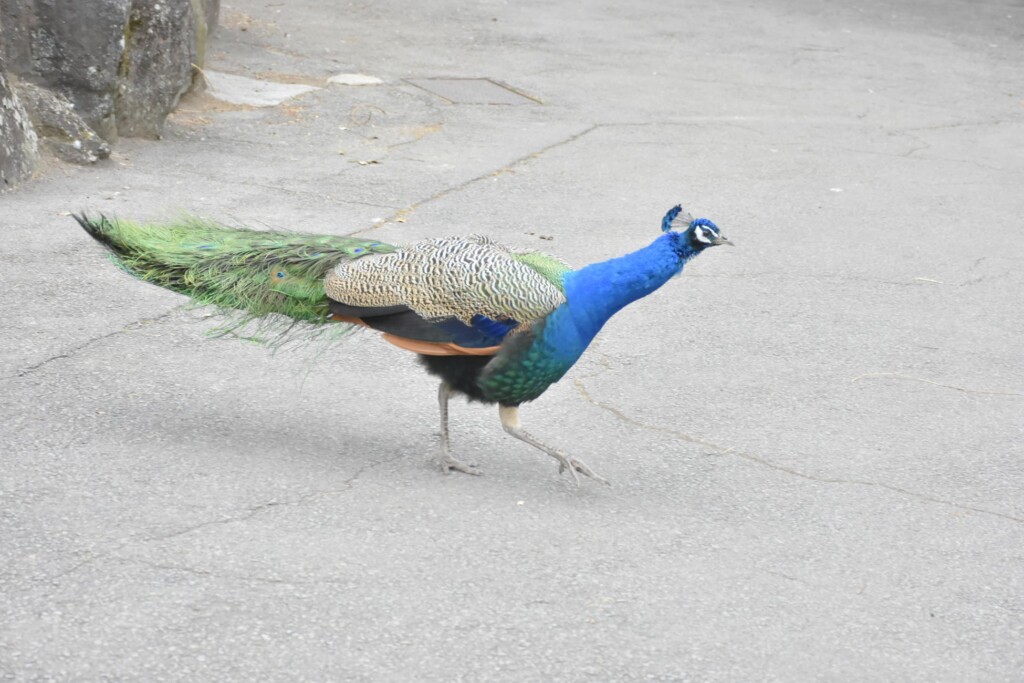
[815, 440]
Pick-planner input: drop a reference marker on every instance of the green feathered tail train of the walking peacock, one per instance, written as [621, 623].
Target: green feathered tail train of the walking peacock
[259, 274]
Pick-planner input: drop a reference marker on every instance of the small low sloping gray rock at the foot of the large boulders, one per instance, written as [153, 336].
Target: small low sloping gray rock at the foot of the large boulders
[62, 129]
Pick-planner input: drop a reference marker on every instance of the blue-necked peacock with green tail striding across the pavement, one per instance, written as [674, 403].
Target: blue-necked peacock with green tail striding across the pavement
[497, 324]
